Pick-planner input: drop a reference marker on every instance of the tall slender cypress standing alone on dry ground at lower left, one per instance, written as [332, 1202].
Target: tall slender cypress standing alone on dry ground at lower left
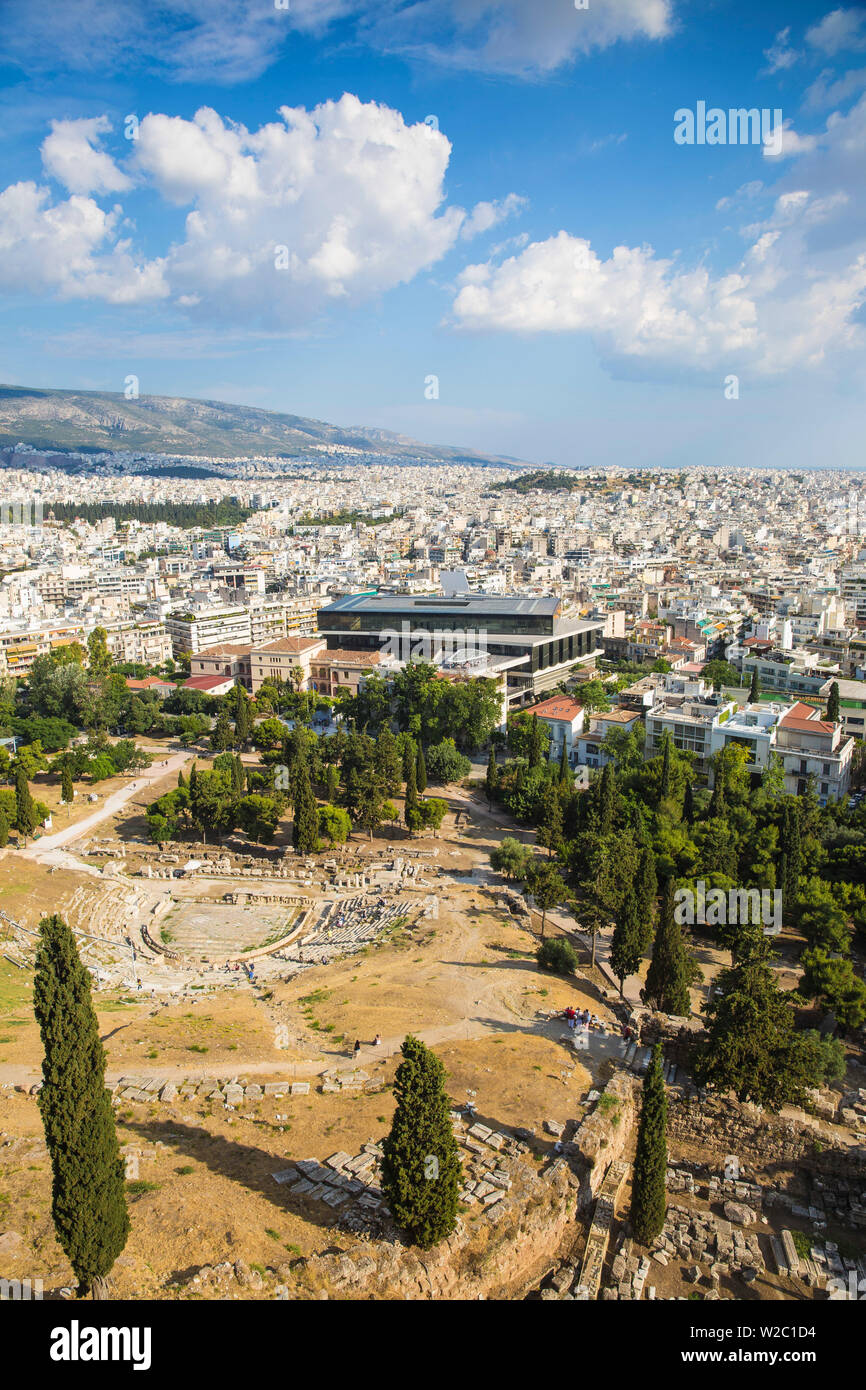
[88, 1203]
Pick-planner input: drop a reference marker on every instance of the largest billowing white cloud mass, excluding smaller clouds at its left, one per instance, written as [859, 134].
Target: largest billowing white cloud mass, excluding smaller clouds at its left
[338, 204]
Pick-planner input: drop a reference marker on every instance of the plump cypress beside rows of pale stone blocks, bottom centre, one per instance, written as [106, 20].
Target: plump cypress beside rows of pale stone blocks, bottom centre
[420, 1161]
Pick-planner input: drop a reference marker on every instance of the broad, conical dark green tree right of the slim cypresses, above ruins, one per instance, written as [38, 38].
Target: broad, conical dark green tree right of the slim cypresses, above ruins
[751, 1047]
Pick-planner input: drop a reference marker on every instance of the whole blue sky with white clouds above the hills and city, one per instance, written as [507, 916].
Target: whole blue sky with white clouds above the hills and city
[483, 191]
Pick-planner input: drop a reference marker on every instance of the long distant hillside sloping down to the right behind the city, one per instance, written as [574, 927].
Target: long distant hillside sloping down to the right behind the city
[105, 420]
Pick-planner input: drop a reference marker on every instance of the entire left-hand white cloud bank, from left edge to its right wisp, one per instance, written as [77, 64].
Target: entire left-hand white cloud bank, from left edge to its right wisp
[340, 204]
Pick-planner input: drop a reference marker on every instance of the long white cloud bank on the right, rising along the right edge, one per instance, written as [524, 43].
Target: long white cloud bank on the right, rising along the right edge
[794, 300]
